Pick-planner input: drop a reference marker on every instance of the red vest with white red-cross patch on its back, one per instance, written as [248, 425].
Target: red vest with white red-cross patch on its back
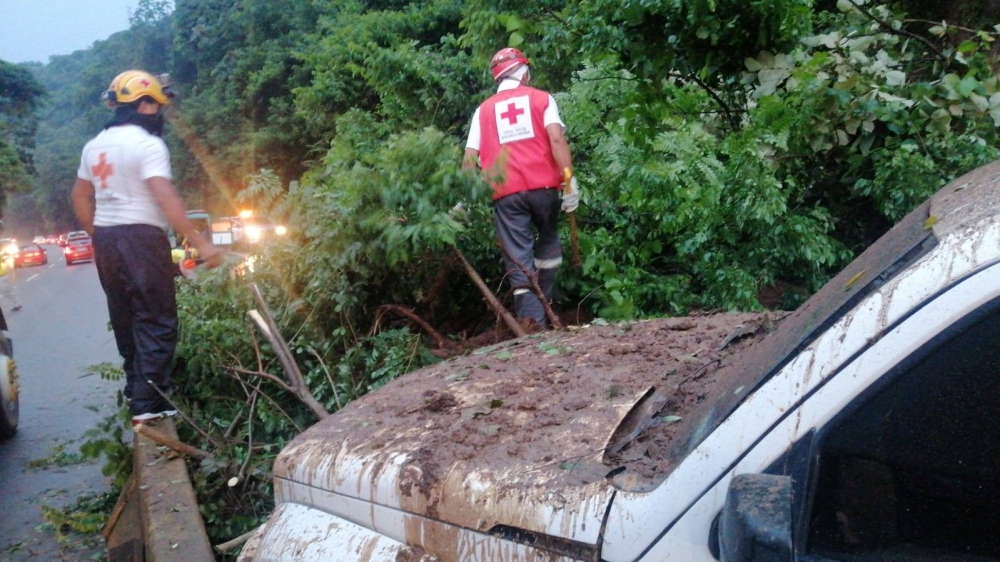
[514, 148]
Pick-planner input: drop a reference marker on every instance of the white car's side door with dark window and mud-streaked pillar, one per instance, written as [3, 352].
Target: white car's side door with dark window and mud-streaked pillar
[886, 456]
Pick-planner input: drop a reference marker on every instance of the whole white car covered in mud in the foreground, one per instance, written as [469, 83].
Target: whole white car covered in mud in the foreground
[861, 427]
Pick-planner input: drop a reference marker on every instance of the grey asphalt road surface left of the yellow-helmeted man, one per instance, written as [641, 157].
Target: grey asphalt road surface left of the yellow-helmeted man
[60, 331]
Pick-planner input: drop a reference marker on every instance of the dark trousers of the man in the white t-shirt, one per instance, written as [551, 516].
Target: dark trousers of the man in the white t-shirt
[137, 274]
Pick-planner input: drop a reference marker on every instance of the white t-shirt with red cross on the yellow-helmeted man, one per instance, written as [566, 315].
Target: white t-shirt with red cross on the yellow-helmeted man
[118, 162]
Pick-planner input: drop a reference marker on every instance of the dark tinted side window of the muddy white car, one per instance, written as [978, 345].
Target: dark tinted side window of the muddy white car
[910, 473]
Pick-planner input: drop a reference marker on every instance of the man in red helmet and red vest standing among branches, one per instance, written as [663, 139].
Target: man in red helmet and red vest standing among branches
[518, 139]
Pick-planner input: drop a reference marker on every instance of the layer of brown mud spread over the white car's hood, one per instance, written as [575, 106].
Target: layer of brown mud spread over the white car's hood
[542, 407]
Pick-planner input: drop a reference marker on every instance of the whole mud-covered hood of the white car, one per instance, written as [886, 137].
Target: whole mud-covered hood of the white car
[512, 436]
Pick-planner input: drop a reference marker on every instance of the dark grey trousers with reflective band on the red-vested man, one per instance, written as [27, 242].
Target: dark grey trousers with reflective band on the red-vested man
[517, 216]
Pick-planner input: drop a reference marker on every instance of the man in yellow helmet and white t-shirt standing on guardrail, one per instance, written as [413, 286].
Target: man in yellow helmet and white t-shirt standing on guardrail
[124, 198]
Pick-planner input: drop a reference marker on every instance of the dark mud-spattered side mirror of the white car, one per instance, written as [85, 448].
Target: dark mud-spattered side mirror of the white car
[756, 522]
